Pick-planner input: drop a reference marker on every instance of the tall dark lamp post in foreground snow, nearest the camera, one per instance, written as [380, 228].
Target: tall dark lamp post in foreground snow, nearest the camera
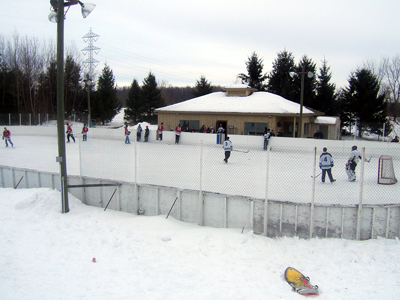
[57, 16]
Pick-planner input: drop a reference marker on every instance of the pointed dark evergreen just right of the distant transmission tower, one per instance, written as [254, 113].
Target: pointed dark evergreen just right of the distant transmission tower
[105, 105]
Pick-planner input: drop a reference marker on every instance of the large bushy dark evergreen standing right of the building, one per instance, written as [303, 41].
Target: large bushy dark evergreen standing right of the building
[364, 100]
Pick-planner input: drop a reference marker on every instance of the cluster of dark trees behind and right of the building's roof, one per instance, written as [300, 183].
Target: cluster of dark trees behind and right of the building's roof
[365, 102]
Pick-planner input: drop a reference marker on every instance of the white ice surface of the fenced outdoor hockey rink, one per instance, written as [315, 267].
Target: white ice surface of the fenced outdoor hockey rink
[285, 174]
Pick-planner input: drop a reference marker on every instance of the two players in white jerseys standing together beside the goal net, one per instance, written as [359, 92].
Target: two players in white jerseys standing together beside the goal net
[326, 164]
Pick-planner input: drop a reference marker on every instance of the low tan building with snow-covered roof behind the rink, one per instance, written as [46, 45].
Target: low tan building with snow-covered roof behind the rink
[245, 111]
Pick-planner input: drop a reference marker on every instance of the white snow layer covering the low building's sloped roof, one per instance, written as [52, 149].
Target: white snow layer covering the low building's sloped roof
[218, 102]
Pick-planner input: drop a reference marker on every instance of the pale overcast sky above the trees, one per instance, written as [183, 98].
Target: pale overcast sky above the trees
[179, 41]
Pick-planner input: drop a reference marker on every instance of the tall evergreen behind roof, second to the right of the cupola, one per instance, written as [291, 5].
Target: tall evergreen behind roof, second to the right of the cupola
[279, 81]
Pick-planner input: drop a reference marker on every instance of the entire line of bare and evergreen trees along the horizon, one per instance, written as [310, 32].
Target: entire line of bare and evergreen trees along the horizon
[28, 83]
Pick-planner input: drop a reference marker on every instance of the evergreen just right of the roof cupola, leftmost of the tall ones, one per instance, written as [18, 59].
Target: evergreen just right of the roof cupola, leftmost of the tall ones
[254, 77]
